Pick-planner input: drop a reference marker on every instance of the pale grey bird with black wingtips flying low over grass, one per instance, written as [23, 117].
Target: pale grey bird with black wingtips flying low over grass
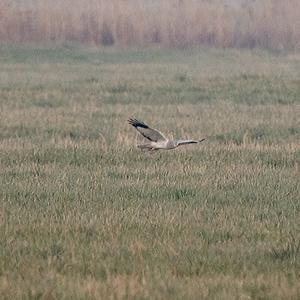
[156, 139]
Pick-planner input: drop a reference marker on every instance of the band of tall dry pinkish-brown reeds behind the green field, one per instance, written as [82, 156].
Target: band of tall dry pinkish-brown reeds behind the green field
[268, 23]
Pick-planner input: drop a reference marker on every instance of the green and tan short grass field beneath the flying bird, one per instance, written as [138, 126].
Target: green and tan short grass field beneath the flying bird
[86, 215]
